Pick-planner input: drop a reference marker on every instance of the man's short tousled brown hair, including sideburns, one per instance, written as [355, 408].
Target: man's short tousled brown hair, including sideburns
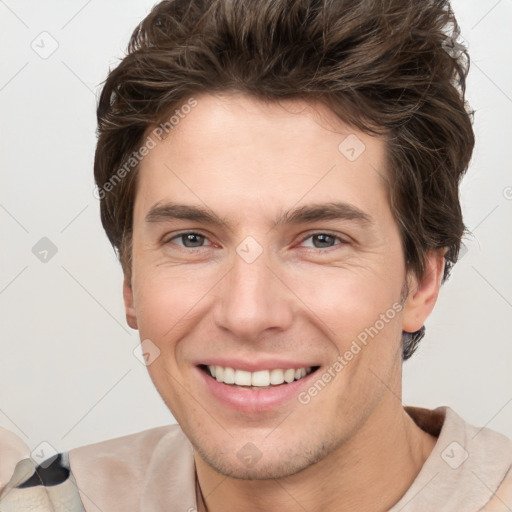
[387, 67]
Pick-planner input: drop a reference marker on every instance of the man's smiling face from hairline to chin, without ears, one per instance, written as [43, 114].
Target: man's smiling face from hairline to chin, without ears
[272, 288]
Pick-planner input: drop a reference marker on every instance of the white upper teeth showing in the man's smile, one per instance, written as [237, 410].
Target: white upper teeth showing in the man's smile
[260, 378]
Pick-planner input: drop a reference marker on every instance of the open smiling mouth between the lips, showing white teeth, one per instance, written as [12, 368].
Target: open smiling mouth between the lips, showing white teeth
[262, 379]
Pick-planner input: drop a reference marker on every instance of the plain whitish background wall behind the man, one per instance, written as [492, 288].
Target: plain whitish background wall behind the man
[68, 373]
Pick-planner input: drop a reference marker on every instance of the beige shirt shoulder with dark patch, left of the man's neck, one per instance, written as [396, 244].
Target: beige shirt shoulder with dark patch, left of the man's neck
[128, 473]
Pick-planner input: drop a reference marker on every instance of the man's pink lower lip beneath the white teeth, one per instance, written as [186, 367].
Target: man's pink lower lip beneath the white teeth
[250, 400]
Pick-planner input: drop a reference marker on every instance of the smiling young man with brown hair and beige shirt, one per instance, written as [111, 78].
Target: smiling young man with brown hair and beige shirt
[280, 180]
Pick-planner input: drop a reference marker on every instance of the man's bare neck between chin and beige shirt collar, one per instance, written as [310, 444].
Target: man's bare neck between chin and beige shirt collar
[370, 471]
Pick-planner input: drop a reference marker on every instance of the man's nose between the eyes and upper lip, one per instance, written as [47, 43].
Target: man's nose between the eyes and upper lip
[253, 299]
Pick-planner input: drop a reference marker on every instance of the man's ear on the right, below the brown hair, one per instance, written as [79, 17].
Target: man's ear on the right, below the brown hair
[423, 292]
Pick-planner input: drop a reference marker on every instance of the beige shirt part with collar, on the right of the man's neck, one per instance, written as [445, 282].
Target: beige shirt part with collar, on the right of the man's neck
[470, 467]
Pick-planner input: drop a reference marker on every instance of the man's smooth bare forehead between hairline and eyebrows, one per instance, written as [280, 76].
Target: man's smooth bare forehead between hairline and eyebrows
[242, 156]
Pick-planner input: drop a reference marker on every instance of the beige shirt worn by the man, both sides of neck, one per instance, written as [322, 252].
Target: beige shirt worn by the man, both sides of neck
[469, 470]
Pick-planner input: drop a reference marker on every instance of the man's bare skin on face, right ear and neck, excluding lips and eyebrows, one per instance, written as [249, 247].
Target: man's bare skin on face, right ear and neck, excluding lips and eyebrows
[302, 299]
